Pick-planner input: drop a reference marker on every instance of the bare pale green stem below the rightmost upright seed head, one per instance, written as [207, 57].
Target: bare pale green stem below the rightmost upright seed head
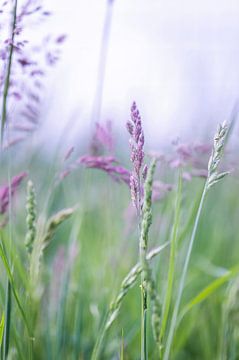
[183, 277]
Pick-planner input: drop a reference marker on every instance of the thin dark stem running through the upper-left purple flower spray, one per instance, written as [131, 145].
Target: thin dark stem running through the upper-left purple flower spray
[8, 71]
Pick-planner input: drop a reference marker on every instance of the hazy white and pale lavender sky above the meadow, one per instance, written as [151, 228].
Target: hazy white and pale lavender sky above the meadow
[178, 59]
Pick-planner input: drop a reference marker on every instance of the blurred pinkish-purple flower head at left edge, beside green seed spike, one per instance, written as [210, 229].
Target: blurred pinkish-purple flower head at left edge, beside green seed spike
[7, 192]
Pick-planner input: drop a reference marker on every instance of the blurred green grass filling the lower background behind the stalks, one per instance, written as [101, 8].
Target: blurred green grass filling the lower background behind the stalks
[67, 321]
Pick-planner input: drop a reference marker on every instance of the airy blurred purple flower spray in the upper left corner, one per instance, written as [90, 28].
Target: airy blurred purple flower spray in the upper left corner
[28, 63]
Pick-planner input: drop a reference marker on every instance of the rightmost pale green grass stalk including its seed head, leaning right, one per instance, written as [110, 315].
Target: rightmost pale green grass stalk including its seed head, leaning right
[212, 178]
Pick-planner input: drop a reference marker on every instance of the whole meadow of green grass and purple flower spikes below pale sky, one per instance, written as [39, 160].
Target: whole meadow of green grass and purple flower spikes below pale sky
[110, 250]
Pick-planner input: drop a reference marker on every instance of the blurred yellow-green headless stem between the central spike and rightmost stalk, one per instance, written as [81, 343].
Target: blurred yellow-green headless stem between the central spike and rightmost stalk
[171, 270]
